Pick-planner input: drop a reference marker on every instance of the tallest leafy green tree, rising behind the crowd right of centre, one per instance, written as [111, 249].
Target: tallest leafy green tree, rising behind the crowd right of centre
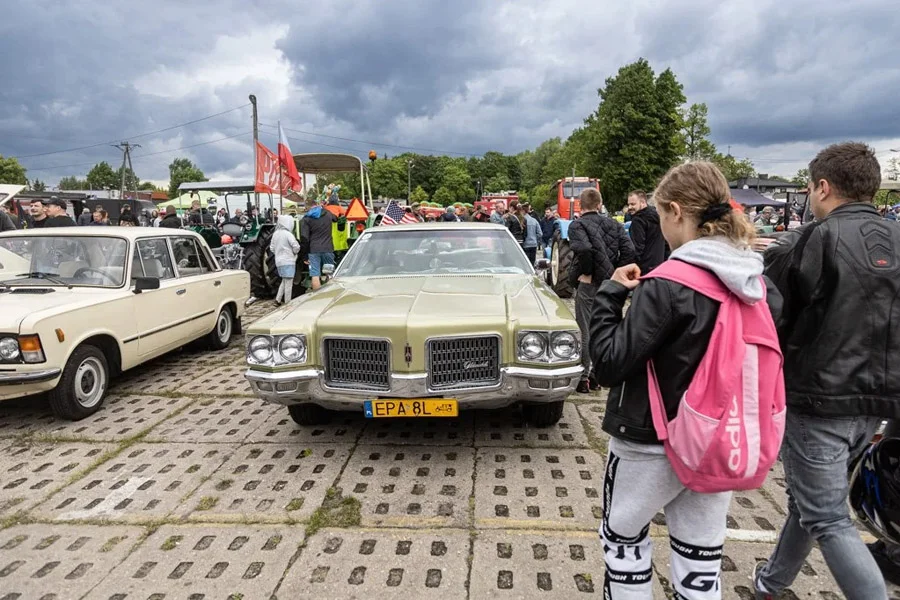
[634, 136]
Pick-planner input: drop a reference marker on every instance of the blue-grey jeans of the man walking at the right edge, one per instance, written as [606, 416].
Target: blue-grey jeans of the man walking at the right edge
[817, 453]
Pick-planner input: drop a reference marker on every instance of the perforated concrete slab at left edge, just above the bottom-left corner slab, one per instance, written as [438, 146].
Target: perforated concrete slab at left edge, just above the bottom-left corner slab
[29, 472]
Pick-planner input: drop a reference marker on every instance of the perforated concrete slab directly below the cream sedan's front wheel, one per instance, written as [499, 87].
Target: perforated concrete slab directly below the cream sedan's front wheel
[121, 417]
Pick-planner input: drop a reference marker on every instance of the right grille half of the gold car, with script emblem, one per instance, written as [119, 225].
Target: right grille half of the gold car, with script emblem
[463, 362]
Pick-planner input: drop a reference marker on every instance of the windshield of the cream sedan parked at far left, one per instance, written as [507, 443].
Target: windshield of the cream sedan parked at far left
[71, 260]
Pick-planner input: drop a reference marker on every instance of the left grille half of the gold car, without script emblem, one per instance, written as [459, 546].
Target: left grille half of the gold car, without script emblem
[357, 363]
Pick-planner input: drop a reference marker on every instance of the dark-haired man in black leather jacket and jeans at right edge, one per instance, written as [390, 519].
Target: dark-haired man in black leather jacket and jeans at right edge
[839, 335]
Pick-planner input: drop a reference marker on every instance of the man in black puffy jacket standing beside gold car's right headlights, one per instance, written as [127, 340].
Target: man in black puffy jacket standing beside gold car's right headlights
[601, 246]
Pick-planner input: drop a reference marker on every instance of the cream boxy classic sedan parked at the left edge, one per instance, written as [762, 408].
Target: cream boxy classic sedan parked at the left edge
[82, 304]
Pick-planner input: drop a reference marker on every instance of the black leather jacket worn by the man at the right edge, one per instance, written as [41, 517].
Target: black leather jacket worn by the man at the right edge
[840, 333]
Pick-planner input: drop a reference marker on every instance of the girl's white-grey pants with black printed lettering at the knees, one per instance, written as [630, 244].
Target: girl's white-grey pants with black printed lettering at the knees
[639, 482]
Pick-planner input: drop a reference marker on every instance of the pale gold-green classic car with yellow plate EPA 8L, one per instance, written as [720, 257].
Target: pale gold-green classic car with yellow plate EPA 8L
[421, 320]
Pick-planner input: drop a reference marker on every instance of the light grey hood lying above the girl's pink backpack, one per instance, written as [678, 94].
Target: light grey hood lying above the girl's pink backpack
[739, 269]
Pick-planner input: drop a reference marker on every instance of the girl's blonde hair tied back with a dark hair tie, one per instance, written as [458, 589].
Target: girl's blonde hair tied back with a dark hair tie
[699, 187]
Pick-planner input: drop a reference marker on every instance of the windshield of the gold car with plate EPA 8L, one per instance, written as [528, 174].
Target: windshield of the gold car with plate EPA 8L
[427, 252]
